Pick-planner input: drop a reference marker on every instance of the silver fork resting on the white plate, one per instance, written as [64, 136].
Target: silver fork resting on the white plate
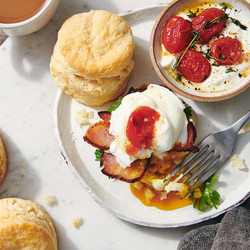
[214, 150]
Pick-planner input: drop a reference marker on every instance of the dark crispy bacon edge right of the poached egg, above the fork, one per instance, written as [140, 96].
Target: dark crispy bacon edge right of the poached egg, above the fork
[189, 146]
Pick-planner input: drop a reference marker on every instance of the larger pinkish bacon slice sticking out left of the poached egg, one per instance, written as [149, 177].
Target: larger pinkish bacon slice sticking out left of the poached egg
[98, 135]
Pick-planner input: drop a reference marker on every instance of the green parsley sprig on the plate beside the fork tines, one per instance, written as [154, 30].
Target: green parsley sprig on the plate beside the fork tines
[209, 198]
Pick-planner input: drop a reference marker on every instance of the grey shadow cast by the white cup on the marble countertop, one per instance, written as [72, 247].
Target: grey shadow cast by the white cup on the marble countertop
[30, 54]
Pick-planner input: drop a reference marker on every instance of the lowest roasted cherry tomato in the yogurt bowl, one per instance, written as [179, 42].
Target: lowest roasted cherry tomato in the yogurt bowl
[194, 67]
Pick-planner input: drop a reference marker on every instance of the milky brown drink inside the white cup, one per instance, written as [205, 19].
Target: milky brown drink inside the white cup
[14, 11]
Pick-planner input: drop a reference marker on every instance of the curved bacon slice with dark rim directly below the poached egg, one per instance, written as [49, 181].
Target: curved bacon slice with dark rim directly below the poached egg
[130, 174]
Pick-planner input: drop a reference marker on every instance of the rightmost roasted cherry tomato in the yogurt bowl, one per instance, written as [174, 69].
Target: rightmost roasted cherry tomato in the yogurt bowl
[226, 50]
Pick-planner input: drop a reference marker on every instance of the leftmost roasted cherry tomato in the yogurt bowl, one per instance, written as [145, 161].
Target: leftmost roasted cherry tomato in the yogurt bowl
[176, 34]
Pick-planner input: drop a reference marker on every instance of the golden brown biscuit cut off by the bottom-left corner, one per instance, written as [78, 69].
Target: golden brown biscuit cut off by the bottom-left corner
[24, 224]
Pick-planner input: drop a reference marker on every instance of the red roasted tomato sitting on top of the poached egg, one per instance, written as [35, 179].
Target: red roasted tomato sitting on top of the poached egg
[141, 129]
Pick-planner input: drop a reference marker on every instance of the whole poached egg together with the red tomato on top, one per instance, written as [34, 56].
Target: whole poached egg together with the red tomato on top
[168, 127]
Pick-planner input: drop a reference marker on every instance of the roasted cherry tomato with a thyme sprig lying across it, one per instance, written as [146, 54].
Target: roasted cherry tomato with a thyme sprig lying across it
[212, 29]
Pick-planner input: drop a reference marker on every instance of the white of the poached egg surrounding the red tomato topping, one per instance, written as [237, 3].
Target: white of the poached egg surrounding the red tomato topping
[169, 129]
